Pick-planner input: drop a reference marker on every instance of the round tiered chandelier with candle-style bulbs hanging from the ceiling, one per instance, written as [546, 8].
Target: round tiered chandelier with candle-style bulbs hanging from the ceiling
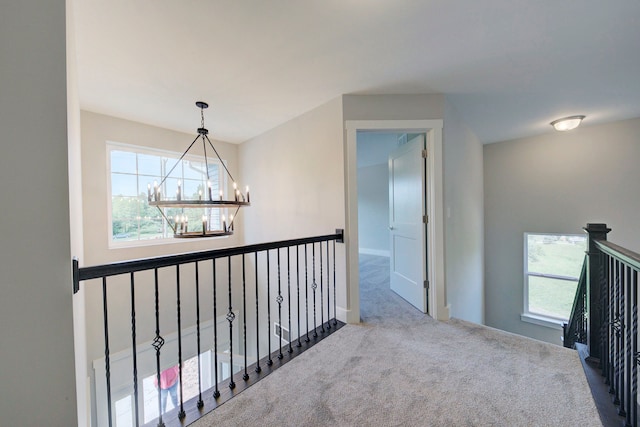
[205, 199]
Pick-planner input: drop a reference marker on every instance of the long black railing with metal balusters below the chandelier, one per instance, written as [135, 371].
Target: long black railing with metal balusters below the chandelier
[278, 298]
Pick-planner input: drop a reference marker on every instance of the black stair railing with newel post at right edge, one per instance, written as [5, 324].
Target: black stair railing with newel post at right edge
[612, 318]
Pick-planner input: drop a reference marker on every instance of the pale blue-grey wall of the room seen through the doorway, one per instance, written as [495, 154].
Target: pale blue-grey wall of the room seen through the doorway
[373, 209]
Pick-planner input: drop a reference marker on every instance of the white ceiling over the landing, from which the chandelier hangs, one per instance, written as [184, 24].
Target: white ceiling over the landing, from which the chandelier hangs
[509, 66]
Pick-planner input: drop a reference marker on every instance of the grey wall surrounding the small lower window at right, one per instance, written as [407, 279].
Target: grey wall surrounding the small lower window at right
[557, 183]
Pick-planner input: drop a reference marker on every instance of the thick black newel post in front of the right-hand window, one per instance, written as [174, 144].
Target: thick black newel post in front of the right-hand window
[596, 288]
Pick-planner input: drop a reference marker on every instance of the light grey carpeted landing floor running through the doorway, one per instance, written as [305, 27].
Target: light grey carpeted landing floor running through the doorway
[402, 368]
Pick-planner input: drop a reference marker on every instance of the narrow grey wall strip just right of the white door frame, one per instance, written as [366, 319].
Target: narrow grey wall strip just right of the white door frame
[464, 219]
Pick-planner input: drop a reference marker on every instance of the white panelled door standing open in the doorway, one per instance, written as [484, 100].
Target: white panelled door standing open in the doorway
[407, 172]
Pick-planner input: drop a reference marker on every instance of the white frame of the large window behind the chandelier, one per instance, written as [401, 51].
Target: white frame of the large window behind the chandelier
[118, 146]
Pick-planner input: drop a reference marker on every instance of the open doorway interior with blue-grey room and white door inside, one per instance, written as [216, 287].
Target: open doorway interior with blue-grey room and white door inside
[391, 214]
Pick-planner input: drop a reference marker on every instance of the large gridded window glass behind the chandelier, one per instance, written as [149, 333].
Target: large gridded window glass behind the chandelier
[133, 170]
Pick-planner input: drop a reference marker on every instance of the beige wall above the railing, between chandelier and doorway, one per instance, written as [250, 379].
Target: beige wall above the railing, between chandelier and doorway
[297, 182]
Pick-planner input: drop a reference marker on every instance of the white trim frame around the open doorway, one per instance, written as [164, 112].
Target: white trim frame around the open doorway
[437, 305]
